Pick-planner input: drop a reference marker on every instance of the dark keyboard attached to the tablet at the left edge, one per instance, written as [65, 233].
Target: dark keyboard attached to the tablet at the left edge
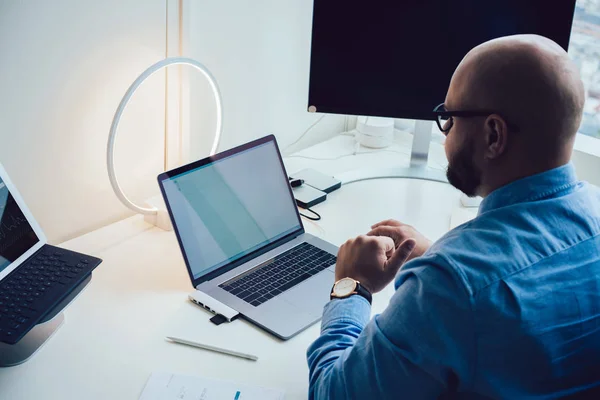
[32, 290]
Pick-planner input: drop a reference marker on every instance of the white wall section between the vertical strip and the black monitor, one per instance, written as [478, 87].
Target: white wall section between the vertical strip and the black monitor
[259, 52]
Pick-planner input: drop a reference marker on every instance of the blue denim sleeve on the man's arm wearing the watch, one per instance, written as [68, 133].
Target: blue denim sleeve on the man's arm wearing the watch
[420, 347]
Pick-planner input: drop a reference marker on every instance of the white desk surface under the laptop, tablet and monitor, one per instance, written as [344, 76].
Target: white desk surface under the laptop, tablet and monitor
[113, 336]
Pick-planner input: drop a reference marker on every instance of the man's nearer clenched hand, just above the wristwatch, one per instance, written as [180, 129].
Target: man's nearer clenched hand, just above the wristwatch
[372, 260]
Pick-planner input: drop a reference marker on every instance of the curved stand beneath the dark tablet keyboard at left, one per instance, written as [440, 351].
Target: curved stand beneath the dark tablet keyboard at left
[24, 349]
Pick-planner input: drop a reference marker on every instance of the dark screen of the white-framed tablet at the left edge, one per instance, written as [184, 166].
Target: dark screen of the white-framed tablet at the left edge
[16, 235]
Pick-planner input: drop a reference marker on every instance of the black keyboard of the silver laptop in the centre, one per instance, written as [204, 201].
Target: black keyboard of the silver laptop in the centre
[284, 272]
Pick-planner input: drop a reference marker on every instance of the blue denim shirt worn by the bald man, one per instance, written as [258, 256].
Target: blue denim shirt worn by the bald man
[504, 306]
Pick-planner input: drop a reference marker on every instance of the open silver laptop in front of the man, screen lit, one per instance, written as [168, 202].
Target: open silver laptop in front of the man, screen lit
[243, 241]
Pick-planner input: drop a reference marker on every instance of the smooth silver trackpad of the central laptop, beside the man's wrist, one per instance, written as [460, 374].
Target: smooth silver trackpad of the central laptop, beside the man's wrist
[312, 294]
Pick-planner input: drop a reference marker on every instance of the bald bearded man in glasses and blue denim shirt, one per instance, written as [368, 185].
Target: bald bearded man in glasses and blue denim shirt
[506, 305]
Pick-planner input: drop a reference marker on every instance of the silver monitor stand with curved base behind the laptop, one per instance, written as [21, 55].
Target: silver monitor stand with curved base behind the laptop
[418, 168]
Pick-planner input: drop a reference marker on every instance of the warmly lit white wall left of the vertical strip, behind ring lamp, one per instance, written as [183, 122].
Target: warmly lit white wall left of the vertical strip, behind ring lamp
[64, 66]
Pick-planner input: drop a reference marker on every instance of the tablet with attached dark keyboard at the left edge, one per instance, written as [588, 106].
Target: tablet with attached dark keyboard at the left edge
[35, 277]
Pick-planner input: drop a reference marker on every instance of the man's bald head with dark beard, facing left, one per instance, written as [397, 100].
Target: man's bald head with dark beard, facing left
[524, 81]
